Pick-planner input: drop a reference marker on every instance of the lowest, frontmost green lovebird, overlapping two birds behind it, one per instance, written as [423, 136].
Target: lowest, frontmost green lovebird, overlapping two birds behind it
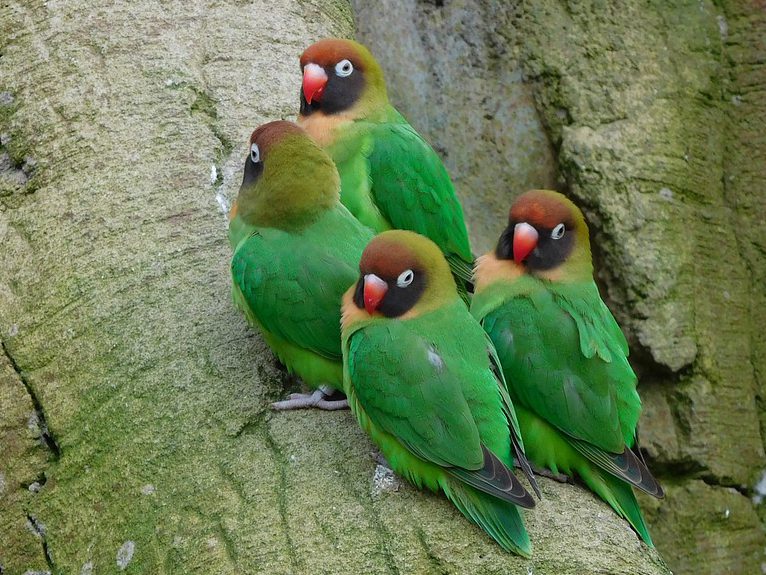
[423, 379]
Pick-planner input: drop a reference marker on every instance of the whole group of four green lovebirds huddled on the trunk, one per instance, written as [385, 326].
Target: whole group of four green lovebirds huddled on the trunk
[458, 371]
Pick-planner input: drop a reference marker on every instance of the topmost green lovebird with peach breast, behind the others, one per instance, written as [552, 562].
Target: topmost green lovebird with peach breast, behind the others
[390, 176]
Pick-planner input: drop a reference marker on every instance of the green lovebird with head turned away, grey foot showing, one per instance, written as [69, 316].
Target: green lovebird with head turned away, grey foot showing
[296, 250]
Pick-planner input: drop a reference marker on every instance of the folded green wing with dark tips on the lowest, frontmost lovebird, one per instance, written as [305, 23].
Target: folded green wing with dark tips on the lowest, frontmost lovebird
[442, 408]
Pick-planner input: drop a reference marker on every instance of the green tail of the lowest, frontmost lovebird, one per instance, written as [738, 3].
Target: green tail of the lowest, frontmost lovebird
[500, 519]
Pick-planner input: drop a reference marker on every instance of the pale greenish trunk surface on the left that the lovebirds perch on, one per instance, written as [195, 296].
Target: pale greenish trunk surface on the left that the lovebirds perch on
[135, 434]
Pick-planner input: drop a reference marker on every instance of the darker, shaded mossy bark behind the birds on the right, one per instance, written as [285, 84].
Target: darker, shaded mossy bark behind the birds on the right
[652, 117]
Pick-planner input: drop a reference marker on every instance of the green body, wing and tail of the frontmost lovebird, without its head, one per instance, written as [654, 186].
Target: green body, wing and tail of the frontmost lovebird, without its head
[431, 413]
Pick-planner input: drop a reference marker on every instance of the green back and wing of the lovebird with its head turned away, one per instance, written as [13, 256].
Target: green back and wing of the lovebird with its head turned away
[293, 282]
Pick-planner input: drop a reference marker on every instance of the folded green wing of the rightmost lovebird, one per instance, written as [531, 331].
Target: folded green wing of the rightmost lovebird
[539, 346]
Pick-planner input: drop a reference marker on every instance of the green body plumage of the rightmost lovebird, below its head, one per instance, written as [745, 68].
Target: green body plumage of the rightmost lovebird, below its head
[560, 392]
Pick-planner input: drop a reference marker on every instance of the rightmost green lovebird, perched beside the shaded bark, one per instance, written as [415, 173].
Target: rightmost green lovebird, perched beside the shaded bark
[562, 352]
